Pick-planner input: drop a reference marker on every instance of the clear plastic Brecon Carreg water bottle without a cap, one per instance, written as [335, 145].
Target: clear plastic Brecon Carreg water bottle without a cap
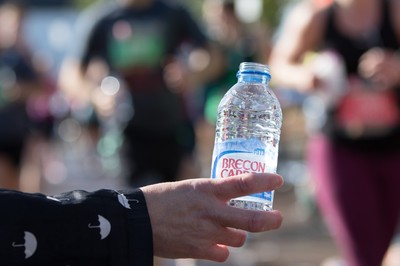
[247, 133]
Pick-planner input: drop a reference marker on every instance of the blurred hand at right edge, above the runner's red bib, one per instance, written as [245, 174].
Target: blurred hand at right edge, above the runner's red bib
[381, 67]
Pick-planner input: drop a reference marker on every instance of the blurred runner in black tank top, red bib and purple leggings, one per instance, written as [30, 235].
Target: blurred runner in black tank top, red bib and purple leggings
[346, 57]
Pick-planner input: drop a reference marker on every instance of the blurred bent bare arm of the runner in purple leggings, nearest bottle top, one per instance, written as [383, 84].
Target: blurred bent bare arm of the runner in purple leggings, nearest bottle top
[301, 33]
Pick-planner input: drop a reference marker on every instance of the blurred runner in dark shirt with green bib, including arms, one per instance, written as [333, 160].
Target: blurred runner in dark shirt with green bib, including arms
[149, 46]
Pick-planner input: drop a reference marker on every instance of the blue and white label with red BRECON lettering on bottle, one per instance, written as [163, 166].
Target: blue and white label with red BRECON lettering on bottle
[240, 156]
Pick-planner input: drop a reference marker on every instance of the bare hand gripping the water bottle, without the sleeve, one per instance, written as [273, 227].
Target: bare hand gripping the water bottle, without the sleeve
[191, 218]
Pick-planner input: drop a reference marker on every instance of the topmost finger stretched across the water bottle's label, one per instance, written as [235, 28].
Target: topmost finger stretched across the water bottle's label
[236, 186]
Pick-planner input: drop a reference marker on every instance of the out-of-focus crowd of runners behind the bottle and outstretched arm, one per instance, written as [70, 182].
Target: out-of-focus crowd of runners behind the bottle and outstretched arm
[127, 91]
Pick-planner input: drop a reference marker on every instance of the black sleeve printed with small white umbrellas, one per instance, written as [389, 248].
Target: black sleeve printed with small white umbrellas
[77, 228]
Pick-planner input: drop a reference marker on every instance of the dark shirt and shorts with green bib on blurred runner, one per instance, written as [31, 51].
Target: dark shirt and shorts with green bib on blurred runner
[137, 44]
